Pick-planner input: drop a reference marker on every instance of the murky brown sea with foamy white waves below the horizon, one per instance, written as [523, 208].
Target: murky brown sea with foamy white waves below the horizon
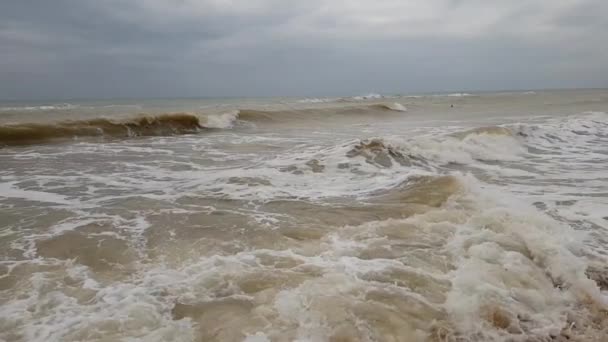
[448, 217]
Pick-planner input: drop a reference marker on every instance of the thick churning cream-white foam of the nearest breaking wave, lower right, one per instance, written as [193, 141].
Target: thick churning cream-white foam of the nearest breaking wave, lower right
[515, 261]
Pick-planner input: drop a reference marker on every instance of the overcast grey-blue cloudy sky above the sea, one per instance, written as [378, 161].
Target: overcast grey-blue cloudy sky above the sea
[231, 48]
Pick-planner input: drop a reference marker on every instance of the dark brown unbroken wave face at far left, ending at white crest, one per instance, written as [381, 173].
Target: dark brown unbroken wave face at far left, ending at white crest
[36, 133]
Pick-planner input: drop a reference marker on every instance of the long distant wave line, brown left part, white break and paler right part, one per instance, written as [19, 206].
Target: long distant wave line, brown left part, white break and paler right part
[168, 124]
